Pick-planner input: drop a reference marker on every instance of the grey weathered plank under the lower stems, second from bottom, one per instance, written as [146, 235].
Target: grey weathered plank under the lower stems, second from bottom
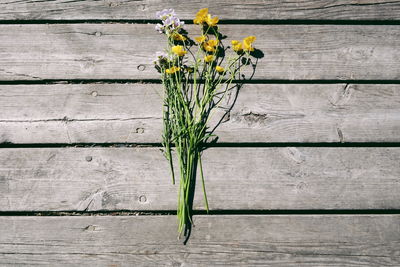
[40, 179]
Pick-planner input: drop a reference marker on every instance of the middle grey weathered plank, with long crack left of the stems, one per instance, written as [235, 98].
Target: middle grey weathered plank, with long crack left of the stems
[118, 113]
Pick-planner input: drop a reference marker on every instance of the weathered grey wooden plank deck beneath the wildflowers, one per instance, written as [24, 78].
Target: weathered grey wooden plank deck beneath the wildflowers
[306, 173]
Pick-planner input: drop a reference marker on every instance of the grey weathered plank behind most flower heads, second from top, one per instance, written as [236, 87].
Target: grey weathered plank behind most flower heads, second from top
[126, 51]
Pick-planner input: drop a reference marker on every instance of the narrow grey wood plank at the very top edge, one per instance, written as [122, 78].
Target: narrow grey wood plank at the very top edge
[235, 9]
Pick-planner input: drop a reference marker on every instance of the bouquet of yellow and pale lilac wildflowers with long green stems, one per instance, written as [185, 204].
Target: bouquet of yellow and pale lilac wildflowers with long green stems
[197, 74]
